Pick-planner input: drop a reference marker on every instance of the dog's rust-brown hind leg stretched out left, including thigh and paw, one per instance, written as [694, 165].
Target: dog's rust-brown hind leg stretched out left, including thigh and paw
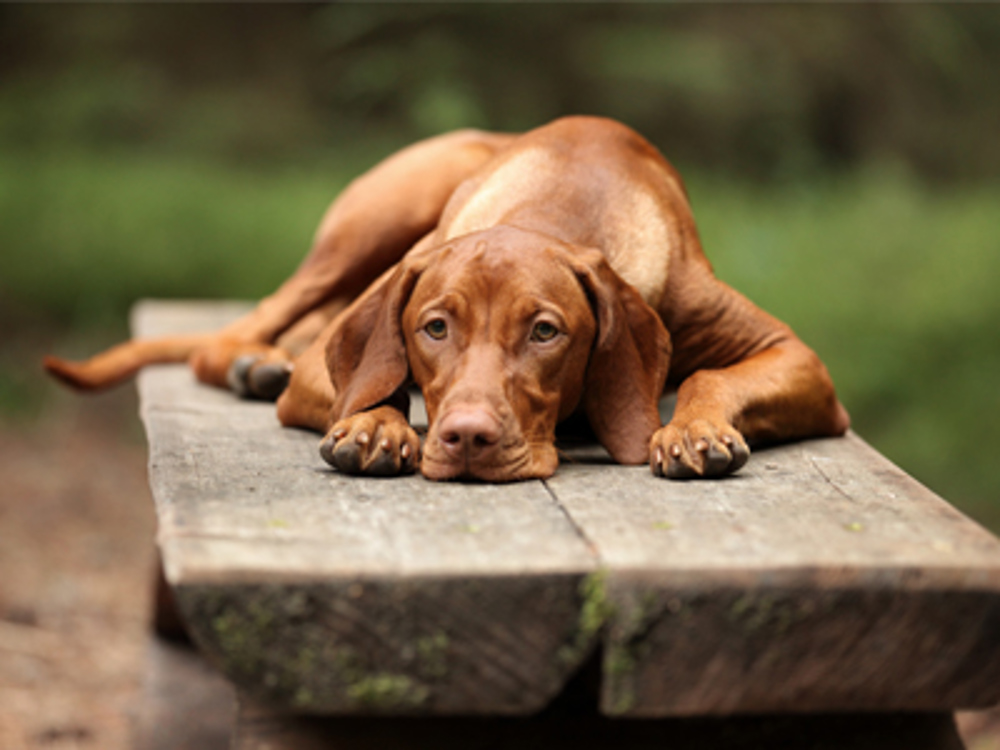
[370, 226]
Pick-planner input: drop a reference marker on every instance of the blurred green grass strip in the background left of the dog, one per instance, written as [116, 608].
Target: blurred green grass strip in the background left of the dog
[85, 235]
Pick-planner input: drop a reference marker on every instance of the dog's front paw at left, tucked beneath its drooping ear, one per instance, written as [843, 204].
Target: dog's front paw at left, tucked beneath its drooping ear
[377, 443]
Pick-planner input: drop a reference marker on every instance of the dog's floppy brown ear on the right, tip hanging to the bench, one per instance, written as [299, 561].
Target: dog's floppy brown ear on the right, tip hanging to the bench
[628, 364]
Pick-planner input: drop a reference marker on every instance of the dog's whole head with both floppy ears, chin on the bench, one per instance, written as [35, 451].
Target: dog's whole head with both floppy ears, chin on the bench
[506, 332]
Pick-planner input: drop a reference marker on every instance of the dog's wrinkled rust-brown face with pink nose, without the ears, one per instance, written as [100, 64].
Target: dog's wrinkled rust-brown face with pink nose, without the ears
[498, 341]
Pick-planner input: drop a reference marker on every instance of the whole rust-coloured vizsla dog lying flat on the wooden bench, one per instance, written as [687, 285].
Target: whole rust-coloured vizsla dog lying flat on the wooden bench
[516, 280]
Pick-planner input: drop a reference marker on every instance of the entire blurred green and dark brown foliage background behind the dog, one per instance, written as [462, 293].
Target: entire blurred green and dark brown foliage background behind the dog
[842, 161]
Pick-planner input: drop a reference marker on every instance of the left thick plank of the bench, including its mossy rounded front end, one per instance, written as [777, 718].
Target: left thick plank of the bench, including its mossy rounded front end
[330, 593]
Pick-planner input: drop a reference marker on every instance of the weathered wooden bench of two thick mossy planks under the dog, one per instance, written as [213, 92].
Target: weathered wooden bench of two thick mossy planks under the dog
[821, 593]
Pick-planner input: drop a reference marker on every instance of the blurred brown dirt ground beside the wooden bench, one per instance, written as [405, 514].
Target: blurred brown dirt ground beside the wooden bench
[76, 565]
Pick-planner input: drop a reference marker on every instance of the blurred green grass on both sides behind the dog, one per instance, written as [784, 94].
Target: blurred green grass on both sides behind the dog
[890, 282]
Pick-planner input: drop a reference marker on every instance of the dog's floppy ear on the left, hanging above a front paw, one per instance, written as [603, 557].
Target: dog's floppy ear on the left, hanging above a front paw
[366, 353]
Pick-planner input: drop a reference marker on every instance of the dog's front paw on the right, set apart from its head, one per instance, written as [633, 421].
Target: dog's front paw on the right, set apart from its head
[699, 448]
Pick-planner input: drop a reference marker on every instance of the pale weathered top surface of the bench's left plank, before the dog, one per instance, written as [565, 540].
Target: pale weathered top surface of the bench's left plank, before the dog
[244, 499]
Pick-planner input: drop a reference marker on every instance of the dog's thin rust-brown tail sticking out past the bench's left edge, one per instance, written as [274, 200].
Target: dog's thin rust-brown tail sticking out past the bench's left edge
[119, 363]
